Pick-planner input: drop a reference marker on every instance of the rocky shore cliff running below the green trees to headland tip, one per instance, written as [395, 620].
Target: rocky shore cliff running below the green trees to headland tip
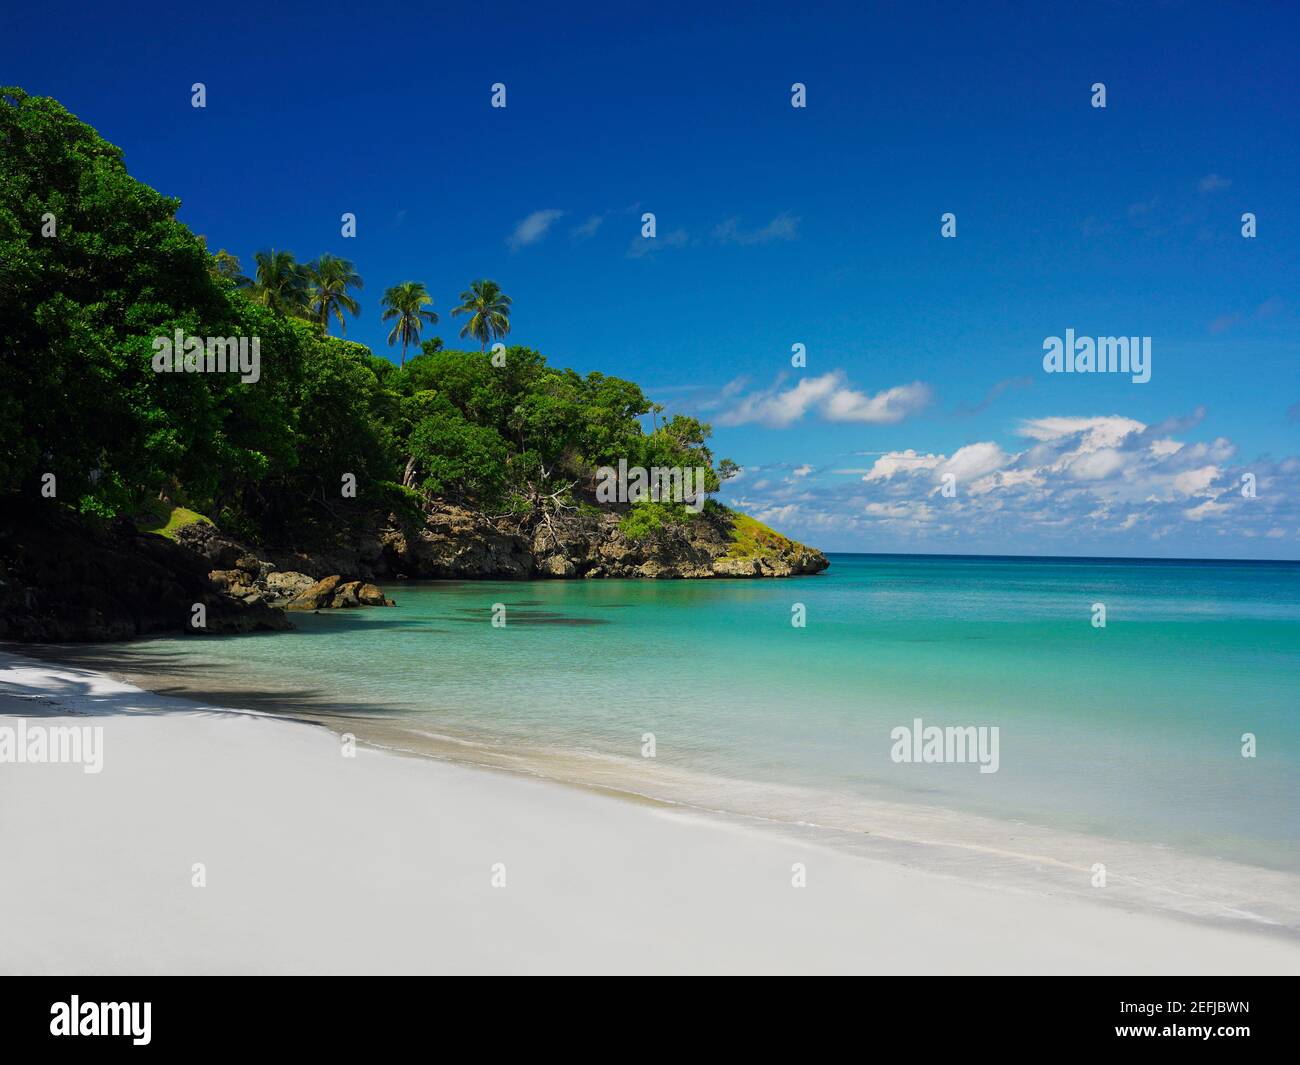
[66, 578]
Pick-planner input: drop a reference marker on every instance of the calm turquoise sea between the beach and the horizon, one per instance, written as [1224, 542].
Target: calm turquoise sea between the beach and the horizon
[1128, 733]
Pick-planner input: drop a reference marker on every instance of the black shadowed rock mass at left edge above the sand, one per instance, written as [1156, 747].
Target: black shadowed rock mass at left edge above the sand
[70, 579]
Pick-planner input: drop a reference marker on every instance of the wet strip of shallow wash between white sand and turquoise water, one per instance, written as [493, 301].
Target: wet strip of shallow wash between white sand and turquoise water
[998, 851]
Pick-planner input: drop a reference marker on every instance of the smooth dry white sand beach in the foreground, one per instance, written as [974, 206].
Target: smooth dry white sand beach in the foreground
[385, 864]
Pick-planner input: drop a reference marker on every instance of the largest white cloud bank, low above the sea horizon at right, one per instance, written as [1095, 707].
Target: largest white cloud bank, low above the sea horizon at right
[1104, 475]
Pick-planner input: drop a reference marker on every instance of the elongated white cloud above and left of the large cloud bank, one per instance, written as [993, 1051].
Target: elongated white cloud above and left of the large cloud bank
[831, 397]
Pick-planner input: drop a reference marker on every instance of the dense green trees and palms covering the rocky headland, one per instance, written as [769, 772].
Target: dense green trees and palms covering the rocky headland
[94, 267]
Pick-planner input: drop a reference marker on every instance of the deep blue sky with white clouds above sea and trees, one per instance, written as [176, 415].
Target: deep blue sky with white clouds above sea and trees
[781, 226]
